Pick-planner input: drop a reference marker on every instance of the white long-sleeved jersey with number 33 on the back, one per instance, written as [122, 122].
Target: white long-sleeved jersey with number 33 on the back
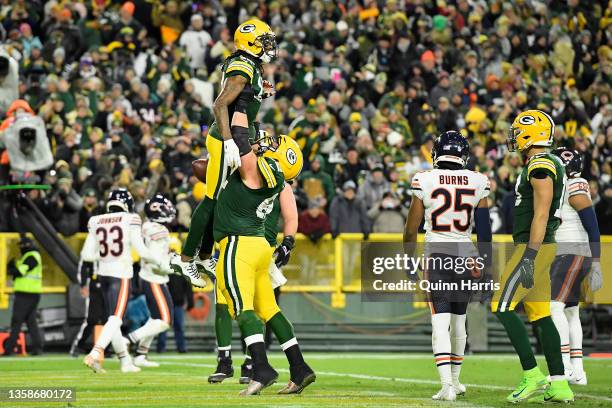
[110, 240]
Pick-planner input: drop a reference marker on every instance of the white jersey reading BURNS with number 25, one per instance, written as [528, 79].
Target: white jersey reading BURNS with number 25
[449, 198]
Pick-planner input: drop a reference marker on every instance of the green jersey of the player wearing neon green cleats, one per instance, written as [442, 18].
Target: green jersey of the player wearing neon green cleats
[523, 208]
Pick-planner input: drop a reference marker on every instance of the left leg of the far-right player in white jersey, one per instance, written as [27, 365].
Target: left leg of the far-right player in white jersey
[561, 272]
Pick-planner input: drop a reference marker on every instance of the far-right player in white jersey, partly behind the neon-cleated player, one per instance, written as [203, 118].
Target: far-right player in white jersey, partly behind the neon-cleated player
[577, 257]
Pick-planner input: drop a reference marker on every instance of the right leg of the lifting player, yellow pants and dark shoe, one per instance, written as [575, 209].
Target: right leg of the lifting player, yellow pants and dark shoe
[301, 375]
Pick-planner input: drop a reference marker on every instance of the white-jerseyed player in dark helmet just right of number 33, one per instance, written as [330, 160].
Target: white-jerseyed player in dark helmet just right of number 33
[160, 212]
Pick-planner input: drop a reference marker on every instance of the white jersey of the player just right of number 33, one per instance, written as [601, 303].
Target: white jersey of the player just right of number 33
[157, 239]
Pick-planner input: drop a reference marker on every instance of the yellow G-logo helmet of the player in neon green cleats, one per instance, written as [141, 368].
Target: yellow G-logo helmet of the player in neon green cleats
[531, 128]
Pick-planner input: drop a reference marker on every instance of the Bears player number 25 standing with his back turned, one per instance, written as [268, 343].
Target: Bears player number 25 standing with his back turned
[449, 197]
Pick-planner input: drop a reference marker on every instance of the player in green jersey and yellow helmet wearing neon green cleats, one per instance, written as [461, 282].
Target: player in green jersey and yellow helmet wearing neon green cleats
[526, 277]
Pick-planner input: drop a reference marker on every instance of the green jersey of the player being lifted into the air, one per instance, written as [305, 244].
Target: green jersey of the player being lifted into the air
[238, 64]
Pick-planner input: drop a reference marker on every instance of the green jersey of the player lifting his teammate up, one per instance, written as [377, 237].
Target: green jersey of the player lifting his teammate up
[241, 210]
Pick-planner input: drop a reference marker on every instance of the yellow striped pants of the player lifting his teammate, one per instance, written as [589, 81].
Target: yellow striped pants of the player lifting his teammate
[243, 280]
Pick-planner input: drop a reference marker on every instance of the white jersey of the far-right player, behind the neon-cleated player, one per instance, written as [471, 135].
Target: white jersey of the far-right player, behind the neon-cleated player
[571, 229]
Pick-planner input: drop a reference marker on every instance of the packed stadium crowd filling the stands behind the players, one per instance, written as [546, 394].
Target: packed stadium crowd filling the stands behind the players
[126, 90]
